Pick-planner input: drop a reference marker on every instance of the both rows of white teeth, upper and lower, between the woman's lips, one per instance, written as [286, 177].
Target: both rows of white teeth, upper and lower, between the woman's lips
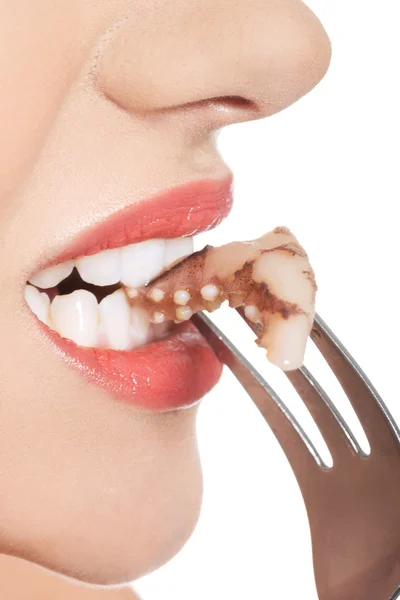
[112, 323]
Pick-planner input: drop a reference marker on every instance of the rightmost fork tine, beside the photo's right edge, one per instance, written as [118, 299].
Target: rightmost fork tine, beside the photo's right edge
[374, 415]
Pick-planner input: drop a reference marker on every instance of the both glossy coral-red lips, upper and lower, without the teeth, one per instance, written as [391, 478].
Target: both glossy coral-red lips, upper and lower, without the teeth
[174, 372]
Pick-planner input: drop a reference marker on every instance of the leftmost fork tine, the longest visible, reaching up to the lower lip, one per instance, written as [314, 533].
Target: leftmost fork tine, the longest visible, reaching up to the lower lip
[301, 453]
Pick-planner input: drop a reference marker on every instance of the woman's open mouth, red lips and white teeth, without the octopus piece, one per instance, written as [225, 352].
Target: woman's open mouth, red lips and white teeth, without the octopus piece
[81, 299]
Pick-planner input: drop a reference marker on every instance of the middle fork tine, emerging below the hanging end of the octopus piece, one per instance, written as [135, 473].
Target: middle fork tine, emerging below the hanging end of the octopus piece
[337, 435]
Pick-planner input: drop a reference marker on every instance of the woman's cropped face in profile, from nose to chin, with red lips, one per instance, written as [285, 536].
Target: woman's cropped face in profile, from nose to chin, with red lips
[105, 105]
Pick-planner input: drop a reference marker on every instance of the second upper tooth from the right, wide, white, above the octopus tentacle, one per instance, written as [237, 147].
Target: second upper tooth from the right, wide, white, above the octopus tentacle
[142, 262]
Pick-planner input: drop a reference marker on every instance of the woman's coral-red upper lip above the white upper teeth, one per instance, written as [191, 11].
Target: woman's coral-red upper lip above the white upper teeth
[176, 212]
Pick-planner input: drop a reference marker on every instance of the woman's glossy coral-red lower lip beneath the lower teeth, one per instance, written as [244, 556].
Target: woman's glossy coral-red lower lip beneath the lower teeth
[168, 374]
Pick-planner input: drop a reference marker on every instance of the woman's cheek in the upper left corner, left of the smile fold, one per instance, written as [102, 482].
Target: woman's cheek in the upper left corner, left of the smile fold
[47, 44]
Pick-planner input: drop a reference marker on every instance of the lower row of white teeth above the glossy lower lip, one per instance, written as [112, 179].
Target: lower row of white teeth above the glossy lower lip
[110, 323]
